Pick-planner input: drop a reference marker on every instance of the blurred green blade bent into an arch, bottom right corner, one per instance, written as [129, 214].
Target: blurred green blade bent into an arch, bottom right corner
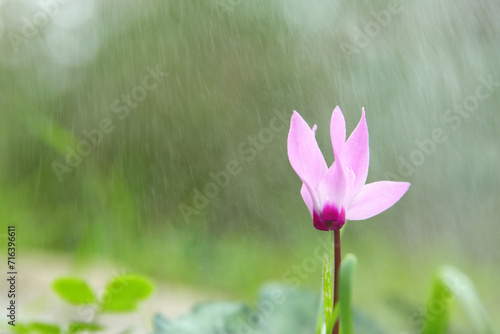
[451, 284]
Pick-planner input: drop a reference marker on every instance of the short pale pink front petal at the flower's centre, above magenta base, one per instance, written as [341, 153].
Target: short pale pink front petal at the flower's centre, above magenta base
[332, 187]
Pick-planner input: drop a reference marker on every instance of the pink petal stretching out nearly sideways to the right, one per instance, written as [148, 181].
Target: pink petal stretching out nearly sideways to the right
[375, 198]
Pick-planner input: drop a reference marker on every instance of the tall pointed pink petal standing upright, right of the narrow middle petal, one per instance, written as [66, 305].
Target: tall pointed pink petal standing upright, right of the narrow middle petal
[356, 157]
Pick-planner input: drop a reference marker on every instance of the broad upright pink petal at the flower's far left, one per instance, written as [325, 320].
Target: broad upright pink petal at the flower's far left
[304, 154]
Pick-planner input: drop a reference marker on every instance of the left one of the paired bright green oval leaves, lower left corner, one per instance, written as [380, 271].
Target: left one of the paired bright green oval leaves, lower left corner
[73, 290]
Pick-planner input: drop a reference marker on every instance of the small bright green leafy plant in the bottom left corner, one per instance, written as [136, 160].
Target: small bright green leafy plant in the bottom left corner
[123, 293]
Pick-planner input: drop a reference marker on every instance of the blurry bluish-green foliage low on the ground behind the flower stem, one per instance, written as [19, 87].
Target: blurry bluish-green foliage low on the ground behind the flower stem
[279, 309]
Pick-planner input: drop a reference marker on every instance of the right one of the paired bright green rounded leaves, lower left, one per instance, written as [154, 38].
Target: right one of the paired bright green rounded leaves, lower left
[124, 292]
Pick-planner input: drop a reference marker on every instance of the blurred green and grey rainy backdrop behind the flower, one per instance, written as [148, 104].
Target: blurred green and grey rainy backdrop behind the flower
[153, 135]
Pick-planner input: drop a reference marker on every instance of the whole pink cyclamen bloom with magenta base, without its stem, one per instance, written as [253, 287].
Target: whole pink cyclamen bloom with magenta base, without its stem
[335, 194]
